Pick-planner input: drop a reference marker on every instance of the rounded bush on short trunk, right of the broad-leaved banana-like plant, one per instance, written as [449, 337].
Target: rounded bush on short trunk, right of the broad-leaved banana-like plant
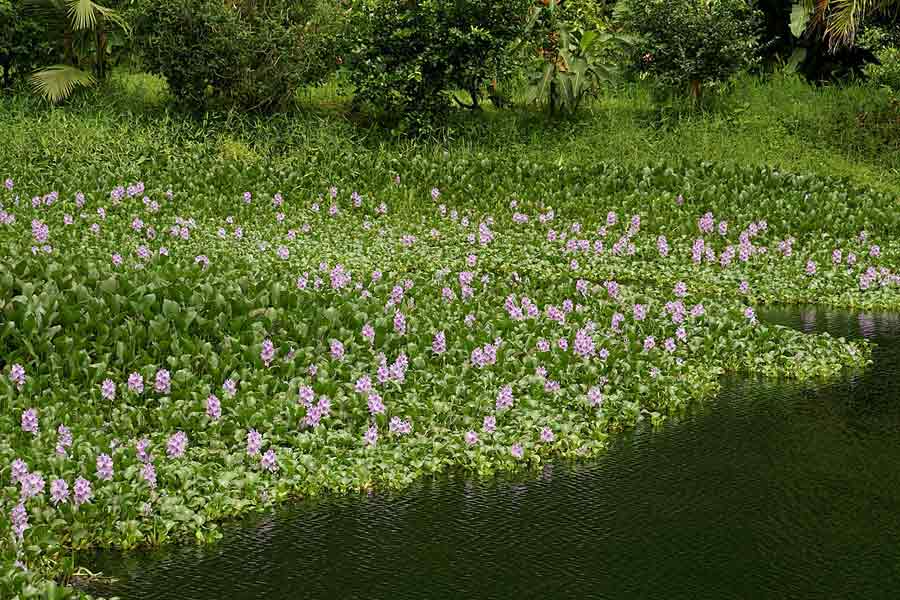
[690, 44]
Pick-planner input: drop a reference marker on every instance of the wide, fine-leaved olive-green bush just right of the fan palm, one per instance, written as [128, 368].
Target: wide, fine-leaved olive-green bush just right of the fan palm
[246, 56]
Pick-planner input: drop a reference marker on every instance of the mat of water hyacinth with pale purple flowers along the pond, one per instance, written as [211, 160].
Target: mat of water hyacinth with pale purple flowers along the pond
[170, 361]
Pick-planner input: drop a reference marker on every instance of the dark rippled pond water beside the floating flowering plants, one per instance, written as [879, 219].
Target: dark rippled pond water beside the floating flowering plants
[769, 491]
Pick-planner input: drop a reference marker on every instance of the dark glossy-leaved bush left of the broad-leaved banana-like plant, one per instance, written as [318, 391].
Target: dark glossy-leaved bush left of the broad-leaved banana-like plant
[407, 56]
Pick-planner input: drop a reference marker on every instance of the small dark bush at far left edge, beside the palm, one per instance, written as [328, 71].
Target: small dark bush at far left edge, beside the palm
[24, 42]
